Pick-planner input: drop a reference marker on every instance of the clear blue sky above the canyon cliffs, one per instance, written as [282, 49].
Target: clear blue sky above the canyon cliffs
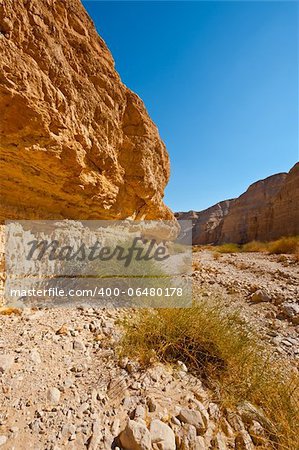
[220, 80]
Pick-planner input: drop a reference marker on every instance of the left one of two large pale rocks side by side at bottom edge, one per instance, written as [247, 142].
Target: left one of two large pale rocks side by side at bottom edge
[135, 437]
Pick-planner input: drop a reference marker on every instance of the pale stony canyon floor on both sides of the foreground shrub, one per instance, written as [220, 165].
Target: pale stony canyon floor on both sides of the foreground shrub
[64, 386]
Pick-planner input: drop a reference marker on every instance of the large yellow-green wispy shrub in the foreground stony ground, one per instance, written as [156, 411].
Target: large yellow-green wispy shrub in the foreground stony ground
[226, 355]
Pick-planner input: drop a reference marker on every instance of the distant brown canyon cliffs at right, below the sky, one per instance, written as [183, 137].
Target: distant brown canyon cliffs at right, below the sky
[266, 211]
